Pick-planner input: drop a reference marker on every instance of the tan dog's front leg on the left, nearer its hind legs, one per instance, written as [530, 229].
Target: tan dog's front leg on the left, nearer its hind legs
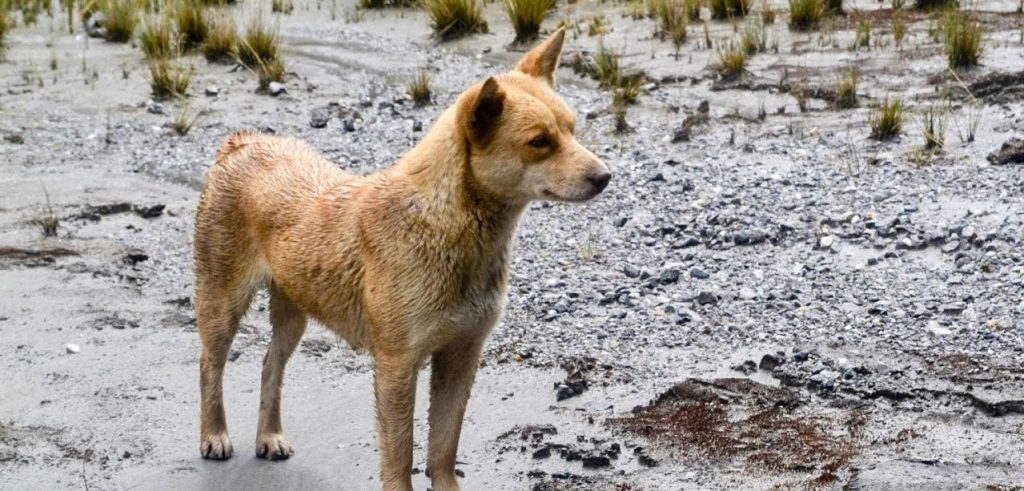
[395, 387]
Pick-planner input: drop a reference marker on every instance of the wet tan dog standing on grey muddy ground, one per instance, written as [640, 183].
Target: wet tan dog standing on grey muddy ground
[410, 263]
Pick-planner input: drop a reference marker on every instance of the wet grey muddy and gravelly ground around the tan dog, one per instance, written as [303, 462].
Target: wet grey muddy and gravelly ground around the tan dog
[772, 301]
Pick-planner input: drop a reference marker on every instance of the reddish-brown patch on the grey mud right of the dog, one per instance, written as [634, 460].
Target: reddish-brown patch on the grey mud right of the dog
[742, 421]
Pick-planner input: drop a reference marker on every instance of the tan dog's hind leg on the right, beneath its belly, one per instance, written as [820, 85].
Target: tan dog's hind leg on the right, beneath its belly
[289, 325]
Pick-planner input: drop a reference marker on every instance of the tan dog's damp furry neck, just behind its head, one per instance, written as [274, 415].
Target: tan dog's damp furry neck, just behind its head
[440, 175]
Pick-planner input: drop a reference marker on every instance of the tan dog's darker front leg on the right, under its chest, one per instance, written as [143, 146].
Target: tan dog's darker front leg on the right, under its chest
[453, 372]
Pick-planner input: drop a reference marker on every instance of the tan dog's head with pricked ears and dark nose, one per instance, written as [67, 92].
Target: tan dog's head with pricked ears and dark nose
[522, 135]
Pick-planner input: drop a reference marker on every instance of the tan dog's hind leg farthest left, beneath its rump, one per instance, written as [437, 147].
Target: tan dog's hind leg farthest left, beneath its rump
[219, 312]
